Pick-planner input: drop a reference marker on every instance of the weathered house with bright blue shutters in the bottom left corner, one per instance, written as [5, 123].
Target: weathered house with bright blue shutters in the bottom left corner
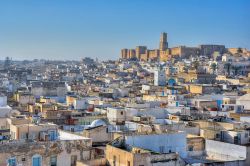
[64, 151]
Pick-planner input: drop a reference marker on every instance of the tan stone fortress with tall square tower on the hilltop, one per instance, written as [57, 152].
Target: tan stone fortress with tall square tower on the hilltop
[164, 53]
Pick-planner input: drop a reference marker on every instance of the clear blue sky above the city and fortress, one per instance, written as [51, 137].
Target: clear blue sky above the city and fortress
[72, 29]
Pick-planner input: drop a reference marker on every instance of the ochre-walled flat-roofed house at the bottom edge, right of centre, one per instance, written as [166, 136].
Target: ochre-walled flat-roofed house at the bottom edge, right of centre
[119, 152]
